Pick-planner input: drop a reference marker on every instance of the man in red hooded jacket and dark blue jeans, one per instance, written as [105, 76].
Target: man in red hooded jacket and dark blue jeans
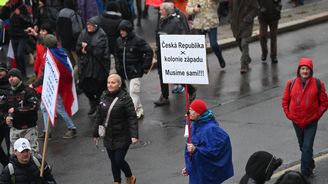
[304, 101]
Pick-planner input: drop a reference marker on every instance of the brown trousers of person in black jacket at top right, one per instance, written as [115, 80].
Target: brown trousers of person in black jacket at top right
[264, 37]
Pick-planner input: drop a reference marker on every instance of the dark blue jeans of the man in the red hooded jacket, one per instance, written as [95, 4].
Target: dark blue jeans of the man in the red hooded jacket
[305, 139]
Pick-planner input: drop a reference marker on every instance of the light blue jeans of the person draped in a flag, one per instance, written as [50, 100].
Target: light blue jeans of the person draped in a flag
[60, 109]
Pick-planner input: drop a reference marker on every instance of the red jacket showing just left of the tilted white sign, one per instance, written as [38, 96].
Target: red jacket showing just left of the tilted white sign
[39, 63]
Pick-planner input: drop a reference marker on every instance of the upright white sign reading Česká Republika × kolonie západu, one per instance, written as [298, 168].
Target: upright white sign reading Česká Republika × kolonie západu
[183, 59]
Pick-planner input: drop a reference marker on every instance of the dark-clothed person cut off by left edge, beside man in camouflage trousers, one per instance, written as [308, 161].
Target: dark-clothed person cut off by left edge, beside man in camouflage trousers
[4, 128]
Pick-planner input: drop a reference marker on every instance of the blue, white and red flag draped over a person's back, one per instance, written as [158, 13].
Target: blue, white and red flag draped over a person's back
[66, 87]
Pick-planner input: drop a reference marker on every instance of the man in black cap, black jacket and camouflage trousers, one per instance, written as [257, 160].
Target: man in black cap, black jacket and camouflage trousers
[22, 111]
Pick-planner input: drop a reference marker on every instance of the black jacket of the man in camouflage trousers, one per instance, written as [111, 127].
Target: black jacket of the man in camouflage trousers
[24, 100]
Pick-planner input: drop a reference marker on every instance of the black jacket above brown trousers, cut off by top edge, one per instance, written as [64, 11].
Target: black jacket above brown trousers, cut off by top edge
[269, 10]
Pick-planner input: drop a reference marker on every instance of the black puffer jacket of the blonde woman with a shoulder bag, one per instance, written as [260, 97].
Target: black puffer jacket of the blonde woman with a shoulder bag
[122, 124]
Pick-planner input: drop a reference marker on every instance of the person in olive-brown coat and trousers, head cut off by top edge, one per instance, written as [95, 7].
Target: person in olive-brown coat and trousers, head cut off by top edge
[243, 13]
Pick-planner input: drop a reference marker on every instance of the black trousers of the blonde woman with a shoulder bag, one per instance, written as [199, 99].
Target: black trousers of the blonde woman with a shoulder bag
[117, 158]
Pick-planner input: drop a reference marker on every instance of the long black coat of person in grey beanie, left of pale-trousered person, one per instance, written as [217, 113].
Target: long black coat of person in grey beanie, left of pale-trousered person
[95, 64]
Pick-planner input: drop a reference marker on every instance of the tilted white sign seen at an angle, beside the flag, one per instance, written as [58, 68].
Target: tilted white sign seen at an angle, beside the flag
[50, 87]
